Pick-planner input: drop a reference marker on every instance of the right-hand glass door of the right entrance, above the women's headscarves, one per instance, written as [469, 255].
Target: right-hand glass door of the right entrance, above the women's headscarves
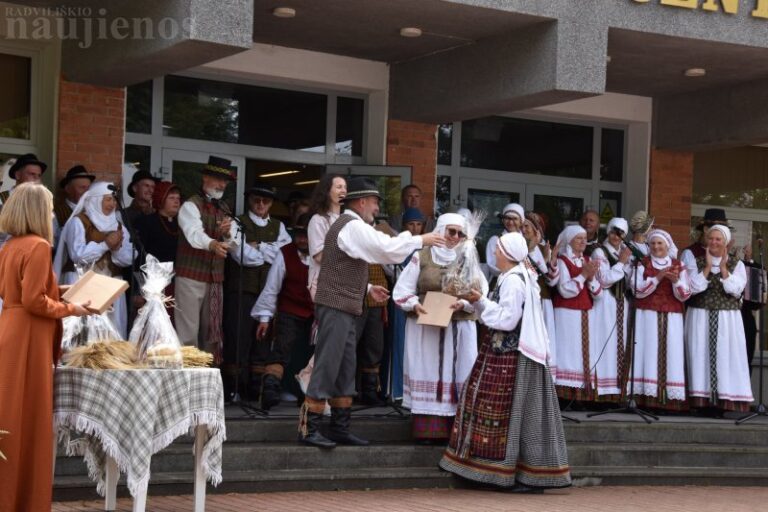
[560, 206]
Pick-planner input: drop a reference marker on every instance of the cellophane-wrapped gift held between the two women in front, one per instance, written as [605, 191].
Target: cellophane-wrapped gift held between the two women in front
[465, 274]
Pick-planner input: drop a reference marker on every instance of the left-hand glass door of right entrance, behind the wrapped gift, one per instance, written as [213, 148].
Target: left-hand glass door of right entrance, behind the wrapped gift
[491, 197]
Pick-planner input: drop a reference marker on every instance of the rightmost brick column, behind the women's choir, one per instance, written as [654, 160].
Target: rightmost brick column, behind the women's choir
[669, 194]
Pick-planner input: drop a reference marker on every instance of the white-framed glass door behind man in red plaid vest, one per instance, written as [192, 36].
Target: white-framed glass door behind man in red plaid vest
[184, 168]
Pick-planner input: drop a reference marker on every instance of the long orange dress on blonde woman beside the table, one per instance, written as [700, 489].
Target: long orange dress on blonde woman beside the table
[30, 338]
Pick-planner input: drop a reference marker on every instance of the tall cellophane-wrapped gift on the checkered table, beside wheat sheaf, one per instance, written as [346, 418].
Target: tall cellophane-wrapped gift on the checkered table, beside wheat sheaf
[157, 342]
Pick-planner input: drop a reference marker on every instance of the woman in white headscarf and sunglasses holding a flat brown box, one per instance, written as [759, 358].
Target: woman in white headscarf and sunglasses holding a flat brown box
[437, 360]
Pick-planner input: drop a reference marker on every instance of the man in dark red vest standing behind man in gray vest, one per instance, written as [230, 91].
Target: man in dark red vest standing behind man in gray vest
[286, 297]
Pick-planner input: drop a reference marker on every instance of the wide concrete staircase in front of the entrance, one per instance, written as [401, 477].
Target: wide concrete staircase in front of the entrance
[262, 455]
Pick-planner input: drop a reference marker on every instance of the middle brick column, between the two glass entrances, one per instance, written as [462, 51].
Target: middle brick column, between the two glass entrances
[415, 144]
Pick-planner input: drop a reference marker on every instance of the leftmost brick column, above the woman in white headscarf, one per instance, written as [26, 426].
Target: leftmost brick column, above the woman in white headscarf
[91, 129]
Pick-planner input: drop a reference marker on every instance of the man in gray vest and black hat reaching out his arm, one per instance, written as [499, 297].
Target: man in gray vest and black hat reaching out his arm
[350, 245]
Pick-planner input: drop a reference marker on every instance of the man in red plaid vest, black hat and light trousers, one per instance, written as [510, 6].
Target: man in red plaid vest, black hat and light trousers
[203, 244]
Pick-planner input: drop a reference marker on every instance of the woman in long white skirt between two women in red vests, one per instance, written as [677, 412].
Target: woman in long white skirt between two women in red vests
[612, 310]
